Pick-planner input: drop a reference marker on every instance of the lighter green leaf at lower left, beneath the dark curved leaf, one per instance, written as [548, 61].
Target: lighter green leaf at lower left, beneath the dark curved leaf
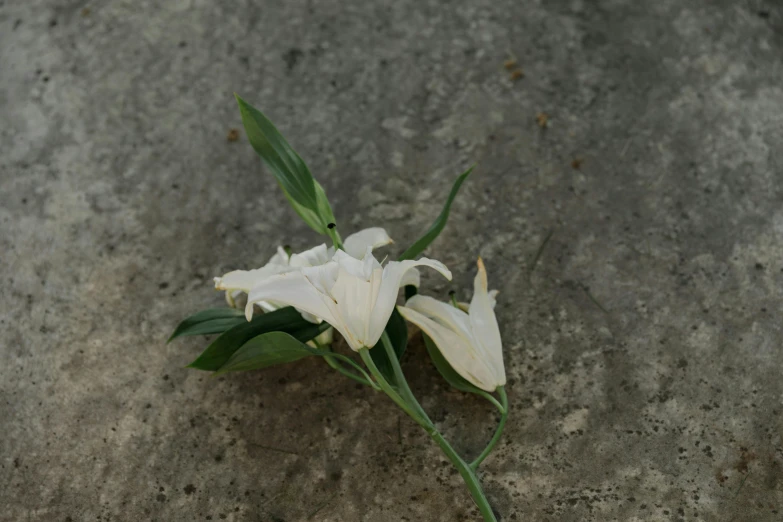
[266, 350]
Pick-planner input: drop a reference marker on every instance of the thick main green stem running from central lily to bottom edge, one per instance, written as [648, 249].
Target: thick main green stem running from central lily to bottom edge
[467, 473]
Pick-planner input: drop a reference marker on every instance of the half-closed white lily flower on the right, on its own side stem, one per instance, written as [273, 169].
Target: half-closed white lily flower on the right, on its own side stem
[470, 341]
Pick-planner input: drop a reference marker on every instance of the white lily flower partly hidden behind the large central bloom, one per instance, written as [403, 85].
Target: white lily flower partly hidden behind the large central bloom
[242, 281]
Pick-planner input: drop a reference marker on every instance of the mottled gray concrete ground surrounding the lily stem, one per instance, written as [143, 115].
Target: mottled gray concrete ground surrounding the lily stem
[643, 350]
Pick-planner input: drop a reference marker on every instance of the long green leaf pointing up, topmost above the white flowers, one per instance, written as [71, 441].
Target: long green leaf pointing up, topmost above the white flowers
[302, 190]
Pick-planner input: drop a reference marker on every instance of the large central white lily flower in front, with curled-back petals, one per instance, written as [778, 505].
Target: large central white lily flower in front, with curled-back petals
[355, 296]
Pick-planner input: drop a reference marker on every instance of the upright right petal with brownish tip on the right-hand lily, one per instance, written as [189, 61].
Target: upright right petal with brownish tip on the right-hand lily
[485, 325]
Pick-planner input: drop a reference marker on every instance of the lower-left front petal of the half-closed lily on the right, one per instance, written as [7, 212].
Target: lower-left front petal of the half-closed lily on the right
[459, 353]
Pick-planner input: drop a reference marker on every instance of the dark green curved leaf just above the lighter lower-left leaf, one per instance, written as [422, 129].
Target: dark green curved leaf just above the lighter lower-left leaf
[283, 320]
